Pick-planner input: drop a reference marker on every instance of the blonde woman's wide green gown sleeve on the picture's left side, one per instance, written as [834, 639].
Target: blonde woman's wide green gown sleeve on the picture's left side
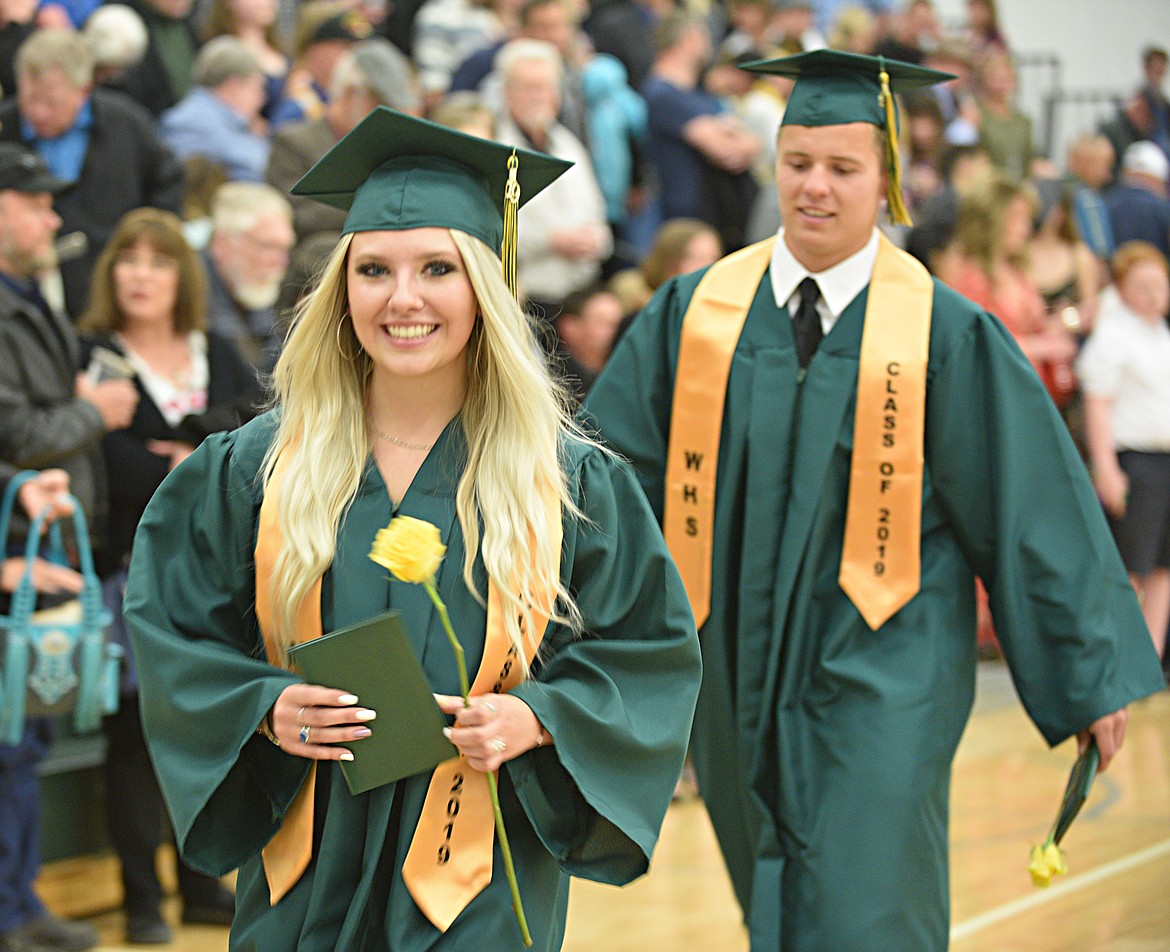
[205, 681]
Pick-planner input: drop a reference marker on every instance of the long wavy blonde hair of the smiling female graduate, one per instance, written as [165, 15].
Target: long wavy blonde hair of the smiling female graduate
[514, 419]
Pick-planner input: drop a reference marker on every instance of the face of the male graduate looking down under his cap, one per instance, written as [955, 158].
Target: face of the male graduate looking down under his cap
[831, 185]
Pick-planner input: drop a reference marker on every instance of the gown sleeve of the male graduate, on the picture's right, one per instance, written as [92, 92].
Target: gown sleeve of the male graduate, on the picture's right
[1020, 502]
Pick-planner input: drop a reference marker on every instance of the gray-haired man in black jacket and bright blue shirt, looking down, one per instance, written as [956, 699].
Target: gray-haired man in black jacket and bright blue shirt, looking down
[101, 141]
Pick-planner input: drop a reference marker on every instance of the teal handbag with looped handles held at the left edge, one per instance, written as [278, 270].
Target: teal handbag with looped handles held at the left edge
[54, 661]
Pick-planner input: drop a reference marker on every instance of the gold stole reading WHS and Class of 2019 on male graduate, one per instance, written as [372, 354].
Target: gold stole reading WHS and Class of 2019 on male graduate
[882, 553]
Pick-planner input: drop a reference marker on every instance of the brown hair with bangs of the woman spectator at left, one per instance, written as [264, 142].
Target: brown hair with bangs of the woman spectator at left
[163, 232]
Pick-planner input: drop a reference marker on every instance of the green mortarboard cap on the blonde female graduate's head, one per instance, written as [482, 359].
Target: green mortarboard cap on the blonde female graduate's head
[395, 173]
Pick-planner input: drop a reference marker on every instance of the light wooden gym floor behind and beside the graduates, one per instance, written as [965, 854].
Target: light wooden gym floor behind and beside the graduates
[1008, 785]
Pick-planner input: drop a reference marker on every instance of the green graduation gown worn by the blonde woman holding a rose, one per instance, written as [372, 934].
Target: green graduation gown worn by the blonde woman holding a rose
[618, 699]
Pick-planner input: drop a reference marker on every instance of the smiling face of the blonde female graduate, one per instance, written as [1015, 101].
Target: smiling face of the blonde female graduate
[412, 305]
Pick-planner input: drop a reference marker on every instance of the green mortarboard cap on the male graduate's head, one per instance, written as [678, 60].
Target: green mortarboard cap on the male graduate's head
[834, 87]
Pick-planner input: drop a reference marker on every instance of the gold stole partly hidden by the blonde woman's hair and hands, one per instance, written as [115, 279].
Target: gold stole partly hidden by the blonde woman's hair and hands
[451, 856]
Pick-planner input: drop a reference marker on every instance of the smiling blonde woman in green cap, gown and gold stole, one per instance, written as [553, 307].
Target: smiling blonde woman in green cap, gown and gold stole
[411, 384]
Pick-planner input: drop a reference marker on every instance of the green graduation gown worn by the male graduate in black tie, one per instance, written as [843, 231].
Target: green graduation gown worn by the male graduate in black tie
[824, 749]
